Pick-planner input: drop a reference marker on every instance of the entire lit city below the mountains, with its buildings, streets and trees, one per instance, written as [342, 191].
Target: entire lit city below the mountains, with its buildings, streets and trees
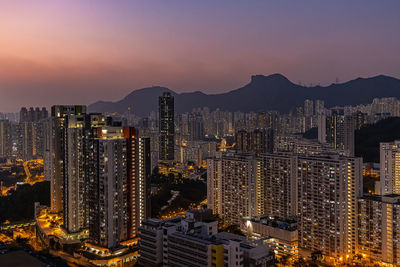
[127, 189]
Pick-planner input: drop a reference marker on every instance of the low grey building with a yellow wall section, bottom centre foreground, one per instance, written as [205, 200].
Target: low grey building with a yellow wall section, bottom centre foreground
[194, 241]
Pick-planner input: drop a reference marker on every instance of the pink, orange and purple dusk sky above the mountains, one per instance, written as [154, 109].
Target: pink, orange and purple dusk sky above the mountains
[81, 51]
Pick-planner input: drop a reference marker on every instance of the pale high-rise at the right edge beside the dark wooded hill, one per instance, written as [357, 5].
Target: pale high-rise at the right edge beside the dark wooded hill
[390, 168]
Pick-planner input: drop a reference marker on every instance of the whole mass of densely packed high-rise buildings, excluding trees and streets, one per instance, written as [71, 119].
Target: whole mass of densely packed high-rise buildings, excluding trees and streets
[295, 196]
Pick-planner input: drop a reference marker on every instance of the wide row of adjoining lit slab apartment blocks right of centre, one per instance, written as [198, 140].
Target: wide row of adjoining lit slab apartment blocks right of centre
[321, 190]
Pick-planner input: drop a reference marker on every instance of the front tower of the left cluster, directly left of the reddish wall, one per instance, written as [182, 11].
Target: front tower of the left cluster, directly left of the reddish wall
[108, 208]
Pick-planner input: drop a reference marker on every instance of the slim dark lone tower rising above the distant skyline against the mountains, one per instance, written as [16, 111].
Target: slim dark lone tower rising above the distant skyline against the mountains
[166, 127]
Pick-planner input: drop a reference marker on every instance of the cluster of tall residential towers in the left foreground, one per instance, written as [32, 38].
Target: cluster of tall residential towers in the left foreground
[99, 175]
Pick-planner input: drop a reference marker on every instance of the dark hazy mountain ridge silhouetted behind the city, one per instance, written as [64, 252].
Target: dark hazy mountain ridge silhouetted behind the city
[273, 92]
